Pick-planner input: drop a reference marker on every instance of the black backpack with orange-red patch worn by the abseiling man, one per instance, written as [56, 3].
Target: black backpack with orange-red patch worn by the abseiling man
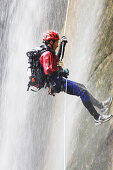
[36, 73]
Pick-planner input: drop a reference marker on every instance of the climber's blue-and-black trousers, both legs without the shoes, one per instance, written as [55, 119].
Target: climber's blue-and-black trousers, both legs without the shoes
[77, 89]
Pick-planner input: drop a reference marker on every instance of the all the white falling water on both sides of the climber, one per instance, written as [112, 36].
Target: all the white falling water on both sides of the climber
[27, 119]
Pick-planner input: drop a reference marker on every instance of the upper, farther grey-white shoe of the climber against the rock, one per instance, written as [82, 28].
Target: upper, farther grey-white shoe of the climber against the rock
[106, 104]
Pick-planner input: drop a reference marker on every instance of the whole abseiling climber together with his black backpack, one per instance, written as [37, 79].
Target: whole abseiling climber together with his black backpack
[45, 72]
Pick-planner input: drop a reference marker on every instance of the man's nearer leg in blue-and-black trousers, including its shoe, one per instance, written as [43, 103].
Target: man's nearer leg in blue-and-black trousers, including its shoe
[72, 88]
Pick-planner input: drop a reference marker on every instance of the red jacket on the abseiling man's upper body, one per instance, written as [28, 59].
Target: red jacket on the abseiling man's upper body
[49, 62]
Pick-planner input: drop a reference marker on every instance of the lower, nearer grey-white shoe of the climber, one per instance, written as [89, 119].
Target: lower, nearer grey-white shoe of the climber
[102, 119]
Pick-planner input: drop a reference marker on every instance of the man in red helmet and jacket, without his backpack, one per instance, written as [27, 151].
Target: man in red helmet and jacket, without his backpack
[57, 78]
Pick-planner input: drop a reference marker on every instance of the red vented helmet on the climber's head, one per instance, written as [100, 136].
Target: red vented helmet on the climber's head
[50, 35]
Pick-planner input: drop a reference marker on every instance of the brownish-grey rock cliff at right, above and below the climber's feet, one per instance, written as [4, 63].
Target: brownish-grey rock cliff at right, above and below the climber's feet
[92, 147]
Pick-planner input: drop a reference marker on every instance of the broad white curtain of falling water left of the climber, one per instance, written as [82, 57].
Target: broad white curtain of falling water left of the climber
[25, 117]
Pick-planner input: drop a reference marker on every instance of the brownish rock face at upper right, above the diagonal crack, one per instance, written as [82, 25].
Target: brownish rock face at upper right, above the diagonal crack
[105, 36]
